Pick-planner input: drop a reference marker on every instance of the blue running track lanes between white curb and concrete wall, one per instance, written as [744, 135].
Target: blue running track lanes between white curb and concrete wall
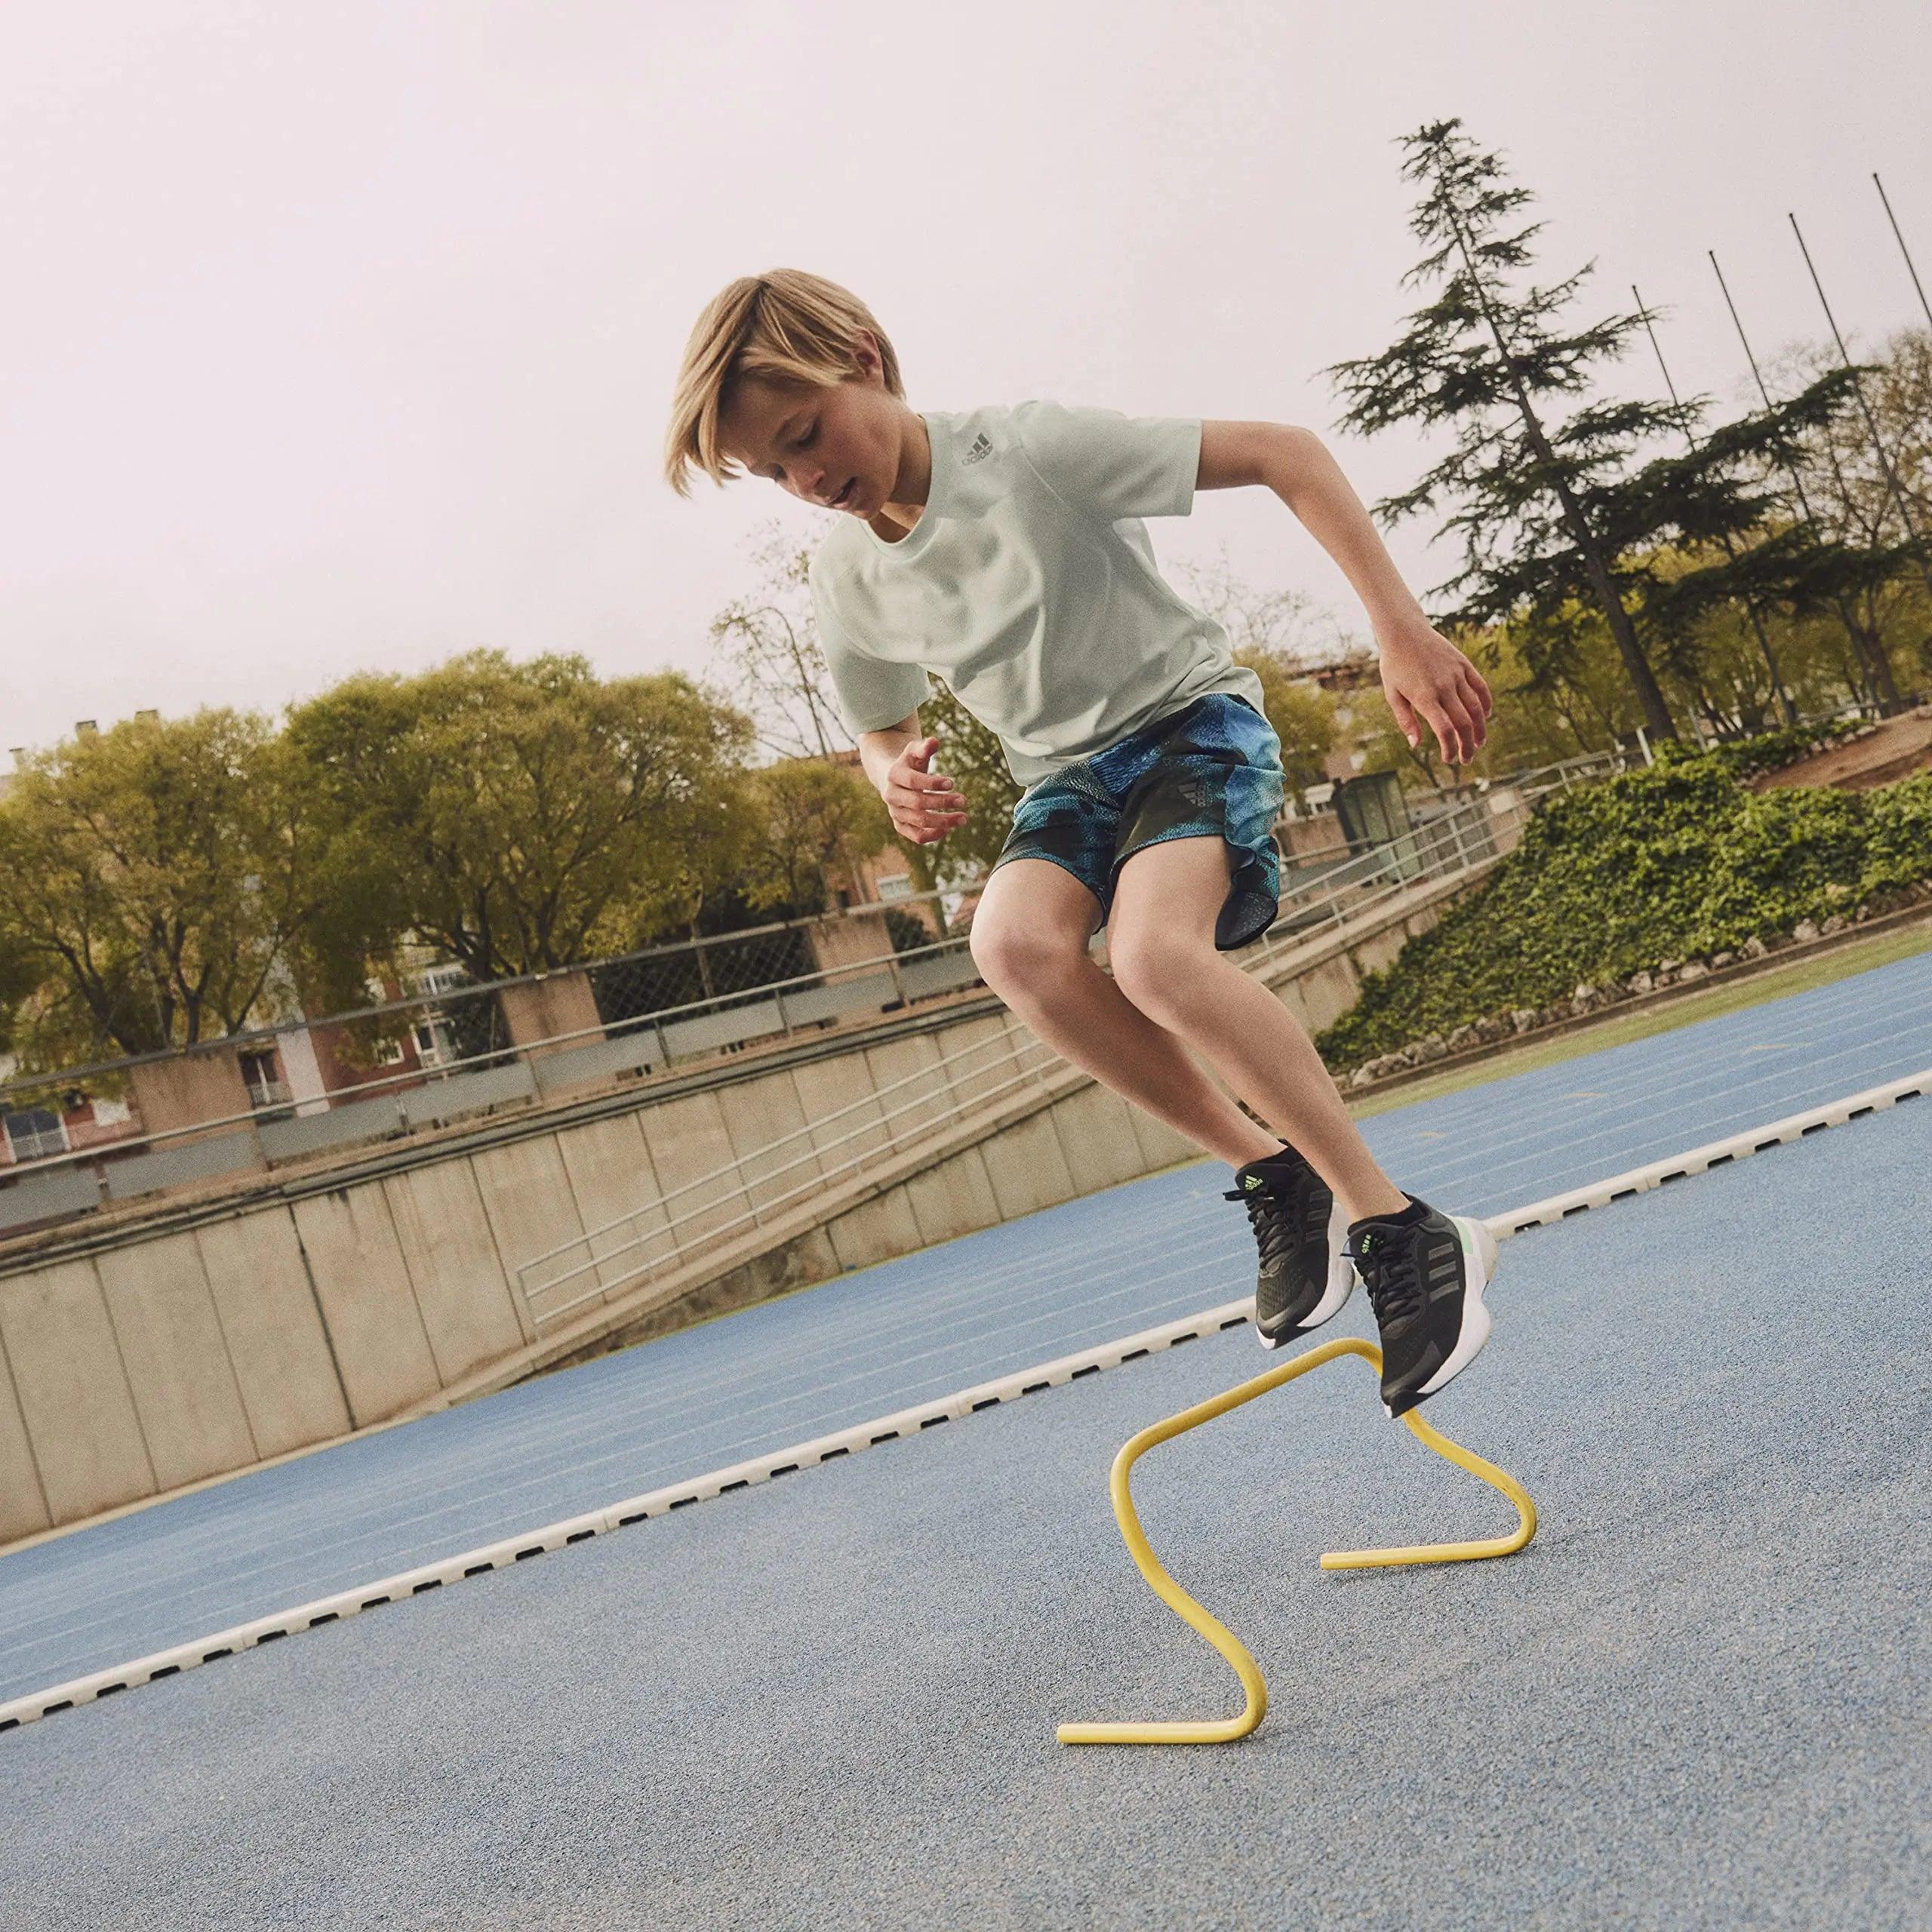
[886, 1338]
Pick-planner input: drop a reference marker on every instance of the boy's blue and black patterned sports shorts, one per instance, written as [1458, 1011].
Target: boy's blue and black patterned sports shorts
[1210, 770]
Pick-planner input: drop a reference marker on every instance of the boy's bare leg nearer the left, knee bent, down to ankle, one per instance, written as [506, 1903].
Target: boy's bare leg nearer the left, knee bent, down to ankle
[1031, 944]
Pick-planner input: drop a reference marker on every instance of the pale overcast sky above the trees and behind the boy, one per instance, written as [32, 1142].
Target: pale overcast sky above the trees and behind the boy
[341, 335]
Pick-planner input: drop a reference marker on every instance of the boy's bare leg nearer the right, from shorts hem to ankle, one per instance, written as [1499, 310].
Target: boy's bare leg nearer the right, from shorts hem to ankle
[1166, 963]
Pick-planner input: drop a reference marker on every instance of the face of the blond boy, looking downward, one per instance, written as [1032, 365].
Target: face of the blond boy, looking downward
[838, 449]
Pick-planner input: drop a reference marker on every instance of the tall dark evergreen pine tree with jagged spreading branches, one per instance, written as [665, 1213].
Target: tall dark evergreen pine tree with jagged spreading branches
[1560, 513]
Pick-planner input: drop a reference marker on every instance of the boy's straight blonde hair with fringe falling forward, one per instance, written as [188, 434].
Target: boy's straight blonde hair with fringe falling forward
[783, 327]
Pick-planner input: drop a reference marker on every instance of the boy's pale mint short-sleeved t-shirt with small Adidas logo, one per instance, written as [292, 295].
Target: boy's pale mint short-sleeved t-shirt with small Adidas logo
[1029, 584]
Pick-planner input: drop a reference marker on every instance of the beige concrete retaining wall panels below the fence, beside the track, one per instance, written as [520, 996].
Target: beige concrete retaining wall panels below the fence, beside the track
[181, 1353]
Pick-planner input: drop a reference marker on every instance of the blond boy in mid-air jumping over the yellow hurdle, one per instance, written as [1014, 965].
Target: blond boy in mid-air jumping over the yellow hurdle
[1006, 548]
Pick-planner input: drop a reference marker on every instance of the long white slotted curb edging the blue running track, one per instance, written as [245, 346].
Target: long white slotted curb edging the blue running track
[903, 1423]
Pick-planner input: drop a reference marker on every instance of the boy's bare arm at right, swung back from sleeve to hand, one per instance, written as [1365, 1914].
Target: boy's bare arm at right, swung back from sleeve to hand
[1423, 673]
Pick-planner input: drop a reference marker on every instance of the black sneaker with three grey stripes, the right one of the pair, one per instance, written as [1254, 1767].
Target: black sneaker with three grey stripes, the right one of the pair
[1425, 1276]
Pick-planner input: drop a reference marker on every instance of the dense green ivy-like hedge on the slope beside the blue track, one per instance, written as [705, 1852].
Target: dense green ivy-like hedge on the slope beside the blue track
[1672, 863]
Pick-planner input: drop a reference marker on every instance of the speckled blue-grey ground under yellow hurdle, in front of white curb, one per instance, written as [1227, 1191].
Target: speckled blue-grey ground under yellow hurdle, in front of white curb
[1699, 1699]
